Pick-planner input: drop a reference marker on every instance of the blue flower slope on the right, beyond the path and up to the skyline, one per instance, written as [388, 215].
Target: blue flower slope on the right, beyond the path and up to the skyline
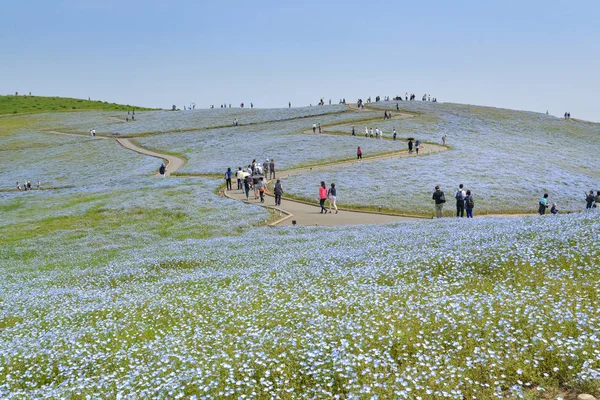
[509, 159]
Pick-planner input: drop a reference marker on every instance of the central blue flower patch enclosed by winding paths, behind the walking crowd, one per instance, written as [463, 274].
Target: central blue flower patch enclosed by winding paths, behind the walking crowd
[215, 150]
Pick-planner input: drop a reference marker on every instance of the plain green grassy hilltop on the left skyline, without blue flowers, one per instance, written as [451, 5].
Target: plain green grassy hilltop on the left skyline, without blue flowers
[35, 104]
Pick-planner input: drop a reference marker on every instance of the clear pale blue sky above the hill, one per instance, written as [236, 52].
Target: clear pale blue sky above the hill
[530, 55]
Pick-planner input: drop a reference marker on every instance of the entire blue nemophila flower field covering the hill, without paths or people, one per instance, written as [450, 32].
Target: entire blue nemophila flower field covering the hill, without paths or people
[136, 286]
